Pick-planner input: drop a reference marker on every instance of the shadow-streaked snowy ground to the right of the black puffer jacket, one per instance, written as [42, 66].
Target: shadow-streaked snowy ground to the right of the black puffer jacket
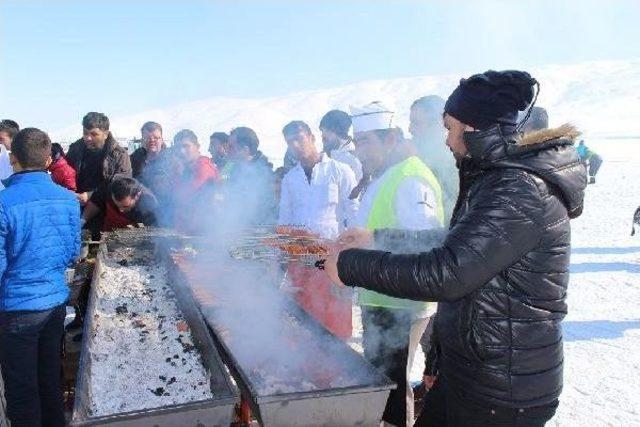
[602, 329]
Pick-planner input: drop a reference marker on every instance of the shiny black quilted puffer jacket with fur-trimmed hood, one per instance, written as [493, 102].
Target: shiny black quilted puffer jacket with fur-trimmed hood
[501, 273]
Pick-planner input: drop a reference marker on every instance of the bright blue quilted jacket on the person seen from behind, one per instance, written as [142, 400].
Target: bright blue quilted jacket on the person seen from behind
[39, 239]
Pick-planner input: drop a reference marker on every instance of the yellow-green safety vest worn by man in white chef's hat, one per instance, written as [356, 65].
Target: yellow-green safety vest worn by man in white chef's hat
[383, 215]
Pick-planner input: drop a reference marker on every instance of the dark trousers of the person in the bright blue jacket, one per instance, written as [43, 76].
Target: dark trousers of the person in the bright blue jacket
[30, 343]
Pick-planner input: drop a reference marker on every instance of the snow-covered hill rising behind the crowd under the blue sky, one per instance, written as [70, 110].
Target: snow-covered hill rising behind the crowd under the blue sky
[602, 98]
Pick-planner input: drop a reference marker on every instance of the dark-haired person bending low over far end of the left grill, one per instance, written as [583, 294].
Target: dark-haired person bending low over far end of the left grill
[128, 203]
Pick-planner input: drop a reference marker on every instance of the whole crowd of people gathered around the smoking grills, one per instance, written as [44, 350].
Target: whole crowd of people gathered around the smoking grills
[471, 212]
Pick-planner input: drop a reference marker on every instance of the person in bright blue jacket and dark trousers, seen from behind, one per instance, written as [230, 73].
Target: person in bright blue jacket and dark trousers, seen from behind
[39, 239]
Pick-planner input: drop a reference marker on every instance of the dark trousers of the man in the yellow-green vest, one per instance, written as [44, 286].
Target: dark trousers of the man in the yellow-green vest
[385, 339]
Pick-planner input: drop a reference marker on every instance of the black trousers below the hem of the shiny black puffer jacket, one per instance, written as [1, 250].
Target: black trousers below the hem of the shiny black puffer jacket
[444, 407]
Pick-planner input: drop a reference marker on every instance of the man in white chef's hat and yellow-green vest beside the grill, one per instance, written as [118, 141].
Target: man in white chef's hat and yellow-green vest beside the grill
[404, 193]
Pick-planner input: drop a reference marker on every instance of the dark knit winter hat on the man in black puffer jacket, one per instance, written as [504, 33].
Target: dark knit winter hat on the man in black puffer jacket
[491, 98]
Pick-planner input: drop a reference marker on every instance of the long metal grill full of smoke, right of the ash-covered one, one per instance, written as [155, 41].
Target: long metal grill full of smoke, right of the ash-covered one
[295, 372]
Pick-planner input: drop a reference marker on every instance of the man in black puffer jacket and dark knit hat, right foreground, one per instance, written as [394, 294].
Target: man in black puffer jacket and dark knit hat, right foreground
[501, 274]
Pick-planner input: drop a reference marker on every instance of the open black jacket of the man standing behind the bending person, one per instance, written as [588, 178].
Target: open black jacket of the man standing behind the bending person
[116, 161]
